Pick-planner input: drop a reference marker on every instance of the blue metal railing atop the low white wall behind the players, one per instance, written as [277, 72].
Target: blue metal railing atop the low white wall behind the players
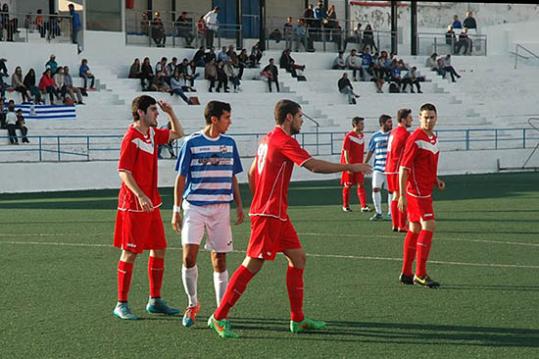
[65, 148]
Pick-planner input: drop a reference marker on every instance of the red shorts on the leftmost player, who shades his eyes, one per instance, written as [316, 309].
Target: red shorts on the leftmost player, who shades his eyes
[139, 231]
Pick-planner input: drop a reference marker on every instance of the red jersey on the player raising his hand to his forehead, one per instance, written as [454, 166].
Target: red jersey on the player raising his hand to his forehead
[138, 155]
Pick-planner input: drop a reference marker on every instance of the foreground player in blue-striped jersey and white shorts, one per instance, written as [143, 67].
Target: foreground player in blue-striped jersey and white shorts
[206, 184]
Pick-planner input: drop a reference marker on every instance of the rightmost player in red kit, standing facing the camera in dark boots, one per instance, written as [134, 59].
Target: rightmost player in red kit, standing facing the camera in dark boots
[417, 178]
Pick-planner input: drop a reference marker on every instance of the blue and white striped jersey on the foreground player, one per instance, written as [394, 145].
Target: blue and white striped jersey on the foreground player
[208, 165]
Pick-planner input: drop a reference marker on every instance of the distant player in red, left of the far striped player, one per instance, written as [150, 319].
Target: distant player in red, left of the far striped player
[353, 149]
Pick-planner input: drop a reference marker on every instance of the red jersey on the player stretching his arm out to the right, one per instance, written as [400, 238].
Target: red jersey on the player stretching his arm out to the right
[275, 158]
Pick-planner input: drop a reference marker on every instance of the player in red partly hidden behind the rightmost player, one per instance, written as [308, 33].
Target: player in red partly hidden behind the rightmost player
[395, 148]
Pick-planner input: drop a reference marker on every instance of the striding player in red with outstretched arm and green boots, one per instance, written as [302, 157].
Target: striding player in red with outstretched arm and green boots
[271, 228]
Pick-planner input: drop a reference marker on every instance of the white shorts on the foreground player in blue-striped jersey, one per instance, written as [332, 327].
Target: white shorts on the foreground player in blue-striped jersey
[215, 218]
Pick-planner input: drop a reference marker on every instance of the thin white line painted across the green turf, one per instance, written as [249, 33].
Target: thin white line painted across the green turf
[94, 245]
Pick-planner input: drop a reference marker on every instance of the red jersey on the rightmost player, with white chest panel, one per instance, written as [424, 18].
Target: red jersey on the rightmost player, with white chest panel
[421, 159]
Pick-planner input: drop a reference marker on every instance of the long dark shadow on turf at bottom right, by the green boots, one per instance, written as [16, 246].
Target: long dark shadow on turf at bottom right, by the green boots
[402, 333]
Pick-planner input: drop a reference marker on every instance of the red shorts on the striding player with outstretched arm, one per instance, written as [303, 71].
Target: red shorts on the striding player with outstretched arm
[271, 235]
